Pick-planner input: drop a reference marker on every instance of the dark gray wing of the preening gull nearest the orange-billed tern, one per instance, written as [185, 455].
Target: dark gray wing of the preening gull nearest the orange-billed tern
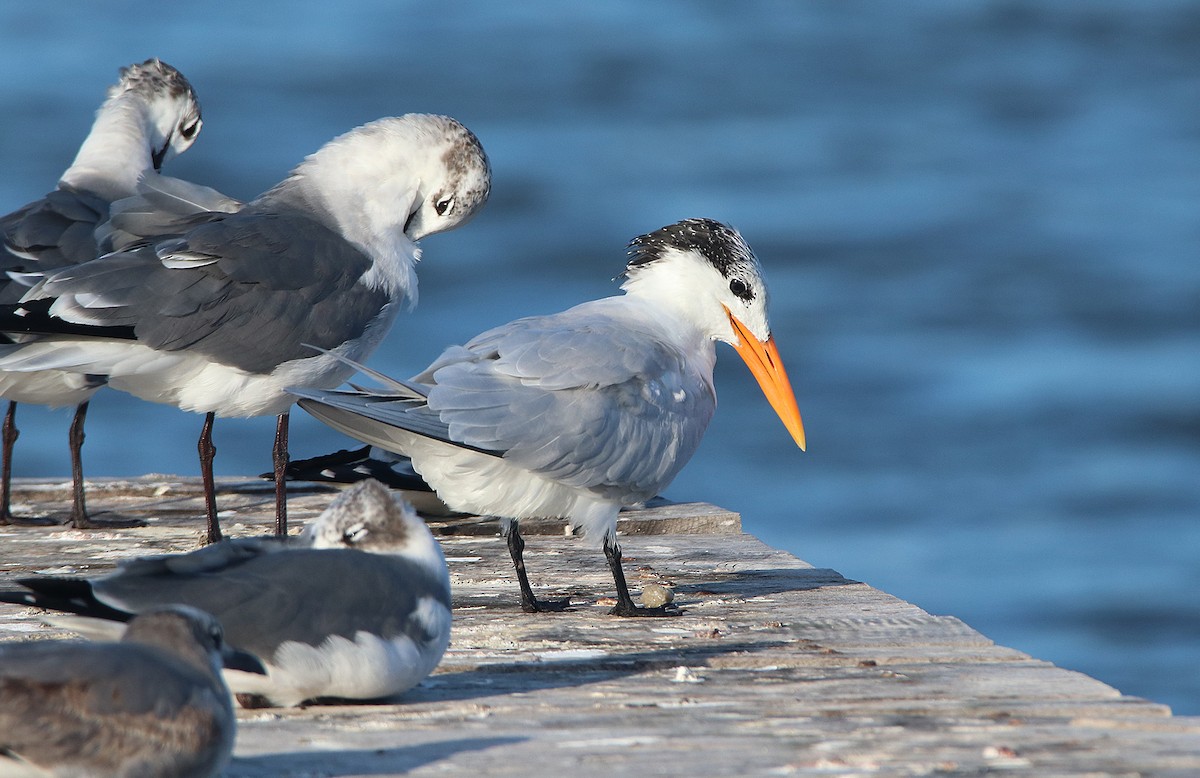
[250, 290]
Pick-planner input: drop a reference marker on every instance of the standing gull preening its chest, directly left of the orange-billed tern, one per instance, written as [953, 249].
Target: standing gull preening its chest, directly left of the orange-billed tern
[220, 319]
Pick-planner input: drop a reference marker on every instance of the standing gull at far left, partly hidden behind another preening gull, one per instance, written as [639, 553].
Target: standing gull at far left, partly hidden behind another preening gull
[151, 116]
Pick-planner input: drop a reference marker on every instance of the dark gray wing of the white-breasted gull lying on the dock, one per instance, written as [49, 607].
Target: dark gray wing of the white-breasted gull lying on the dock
[301, 595]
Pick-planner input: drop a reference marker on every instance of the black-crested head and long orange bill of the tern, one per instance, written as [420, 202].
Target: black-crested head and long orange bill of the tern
[706, 272]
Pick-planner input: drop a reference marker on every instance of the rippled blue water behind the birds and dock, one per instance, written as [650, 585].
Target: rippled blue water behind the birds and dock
[980, 223]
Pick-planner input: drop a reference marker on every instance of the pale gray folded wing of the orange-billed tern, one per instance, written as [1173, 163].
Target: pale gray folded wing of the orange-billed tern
[584, 398]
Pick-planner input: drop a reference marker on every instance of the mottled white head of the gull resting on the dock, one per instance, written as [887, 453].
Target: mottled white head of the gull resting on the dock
[371, 518]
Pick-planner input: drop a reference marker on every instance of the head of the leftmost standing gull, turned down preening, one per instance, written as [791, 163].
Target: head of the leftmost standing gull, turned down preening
[172, 112]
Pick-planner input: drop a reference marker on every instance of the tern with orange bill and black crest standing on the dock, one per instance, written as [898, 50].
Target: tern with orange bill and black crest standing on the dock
[580, 414]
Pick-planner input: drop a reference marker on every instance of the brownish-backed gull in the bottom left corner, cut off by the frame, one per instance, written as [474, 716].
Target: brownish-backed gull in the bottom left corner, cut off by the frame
[154, 704]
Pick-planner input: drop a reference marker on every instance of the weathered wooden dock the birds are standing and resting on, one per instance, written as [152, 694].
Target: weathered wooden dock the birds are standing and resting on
[776, 668]
